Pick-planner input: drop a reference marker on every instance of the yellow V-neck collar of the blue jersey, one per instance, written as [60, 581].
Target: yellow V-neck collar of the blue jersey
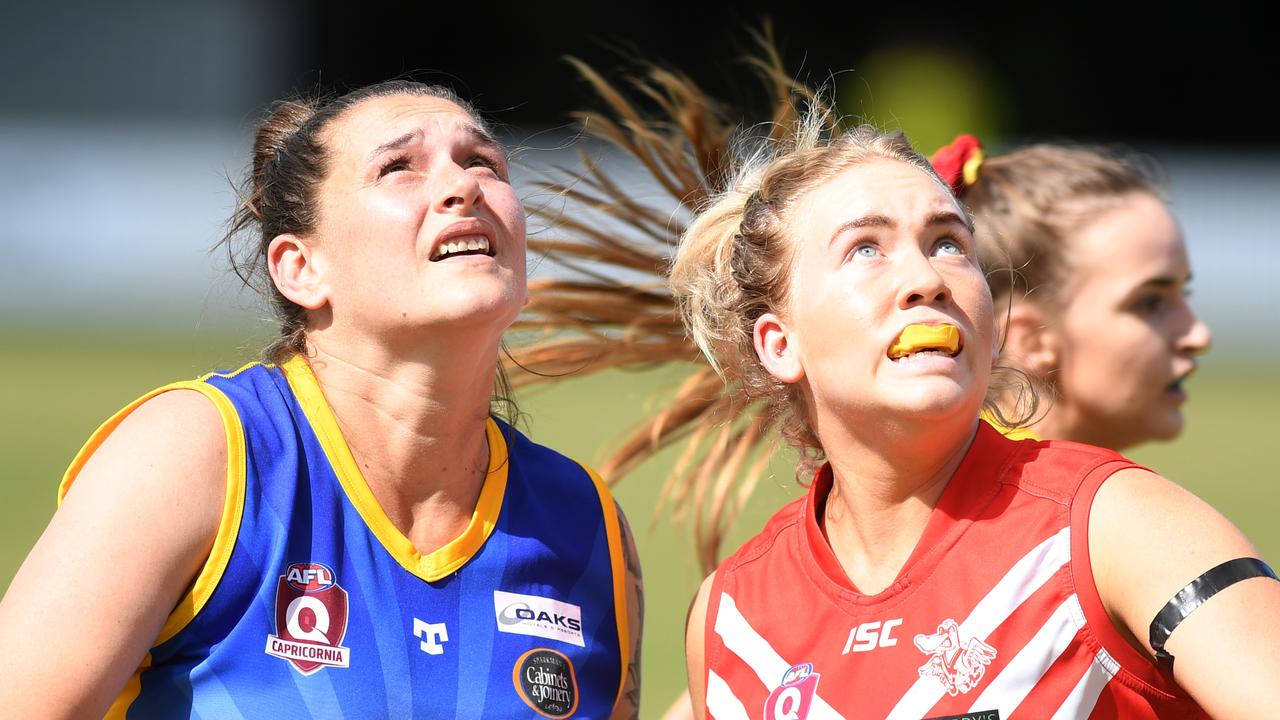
[435, 566]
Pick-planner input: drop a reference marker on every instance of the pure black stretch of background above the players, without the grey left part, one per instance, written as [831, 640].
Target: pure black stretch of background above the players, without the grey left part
[1178, 76]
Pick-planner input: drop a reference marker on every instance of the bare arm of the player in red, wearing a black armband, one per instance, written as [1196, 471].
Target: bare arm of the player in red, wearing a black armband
[1148, 540]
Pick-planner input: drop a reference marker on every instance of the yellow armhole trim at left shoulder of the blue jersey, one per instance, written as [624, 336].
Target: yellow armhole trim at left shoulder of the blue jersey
[234, 503]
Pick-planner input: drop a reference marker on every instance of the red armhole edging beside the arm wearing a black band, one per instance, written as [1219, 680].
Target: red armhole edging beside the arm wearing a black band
[1114, 651]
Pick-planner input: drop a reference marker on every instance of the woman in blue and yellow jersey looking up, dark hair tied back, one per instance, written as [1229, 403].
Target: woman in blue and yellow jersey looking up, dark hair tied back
[346, 530]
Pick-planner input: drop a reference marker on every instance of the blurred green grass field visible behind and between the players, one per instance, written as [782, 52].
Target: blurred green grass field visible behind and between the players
[61, 384]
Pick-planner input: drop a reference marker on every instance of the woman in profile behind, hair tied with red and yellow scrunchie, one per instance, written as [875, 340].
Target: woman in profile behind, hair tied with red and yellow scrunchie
[1090, 272]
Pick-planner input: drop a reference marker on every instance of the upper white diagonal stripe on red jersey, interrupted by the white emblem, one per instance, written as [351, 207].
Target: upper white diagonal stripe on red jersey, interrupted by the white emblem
[1025, 578]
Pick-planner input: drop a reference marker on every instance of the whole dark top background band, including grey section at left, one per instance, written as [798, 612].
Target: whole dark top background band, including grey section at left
[1168, 78]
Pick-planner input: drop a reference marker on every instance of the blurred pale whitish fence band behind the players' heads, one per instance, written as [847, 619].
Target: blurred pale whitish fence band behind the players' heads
[112, 225]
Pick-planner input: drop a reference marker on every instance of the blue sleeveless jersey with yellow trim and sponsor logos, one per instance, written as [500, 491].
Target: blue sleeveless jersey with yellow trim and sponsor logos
[314, 605]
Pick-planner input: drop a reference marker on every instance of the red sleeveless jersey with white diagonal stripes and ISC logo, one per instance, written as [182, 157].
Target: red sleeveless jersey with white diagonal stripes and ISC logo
[995, 616]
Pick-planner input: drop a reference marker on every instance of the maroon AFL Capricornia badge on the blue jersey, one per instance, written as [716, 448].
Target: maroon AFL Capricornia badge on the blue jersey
[310, 619]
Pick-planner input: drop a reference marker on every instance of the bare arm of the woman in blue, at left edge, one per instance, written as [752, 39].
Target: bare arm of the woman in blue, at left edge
[118, 555]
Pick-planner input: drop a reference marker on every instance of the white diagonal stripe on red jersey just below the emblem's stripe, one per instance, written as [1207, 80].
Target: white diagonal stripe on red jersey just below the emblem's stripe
[1013, 685]
